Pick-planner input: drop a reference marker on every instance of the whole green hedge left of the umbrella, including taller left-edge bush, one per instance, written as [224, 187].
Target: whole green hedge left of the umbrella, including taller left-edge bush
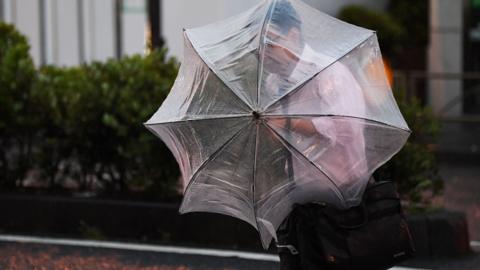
[84, 123]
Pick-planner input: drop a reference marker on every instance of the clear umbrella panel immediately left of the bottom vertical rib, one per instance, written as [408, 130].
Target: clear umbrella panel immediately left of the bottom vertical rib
[225, 185]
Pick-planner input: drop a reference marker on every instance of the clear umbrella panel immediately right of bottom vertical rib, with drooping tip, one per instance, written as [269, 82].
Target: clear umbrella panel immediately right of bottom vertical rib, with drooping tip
[284, 177]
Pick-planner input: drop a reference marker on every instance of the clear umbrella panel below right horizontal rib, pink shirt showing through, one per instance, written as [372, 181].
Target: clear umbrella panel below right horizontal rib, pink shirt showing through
[346, 149]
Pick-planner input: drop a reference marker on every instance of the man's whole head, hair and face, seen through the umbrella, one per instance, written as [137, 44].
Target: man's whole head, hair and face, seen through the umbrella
[284, 39]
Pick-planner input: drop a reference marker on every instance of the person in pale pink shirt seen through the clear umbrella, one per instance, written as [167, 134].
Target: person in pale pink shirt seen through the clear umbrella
[283, 64]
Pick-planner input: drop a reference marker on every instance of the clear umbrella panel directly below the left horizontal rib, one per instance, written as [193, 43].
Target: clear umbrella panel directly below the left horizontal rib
[193, 142]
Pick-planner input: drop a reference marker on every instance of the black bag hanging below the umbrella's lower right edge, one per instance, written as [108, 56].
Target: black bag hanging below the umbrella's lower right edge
[374, 235]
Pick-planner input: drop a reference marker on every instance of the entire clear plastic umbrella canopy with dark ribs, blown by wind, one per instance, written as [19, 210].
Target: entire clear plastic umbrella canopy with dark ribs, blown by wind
[281, 104]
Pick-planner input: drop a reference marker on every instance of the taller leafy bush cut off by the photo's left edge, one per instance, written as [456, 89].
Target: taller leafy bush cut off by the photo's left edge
[17, 74]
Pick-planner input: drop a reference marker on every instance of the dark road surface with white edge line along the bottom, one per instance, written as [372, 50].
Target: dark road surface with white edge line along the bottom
[19, 253]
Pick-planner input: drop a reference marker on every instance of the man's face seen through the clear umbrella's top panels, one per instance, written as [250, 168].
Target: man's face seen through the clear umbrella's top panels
[280, 59]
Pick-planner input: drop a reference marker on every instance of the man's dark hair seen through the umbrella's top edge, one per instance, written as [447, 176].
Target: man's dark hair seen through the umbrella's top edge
[285, 16]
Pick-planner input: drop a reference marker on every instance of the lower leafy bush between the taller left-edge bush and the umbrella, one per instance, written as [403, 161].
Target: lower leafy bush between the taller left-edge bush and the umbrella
[95, 124]
